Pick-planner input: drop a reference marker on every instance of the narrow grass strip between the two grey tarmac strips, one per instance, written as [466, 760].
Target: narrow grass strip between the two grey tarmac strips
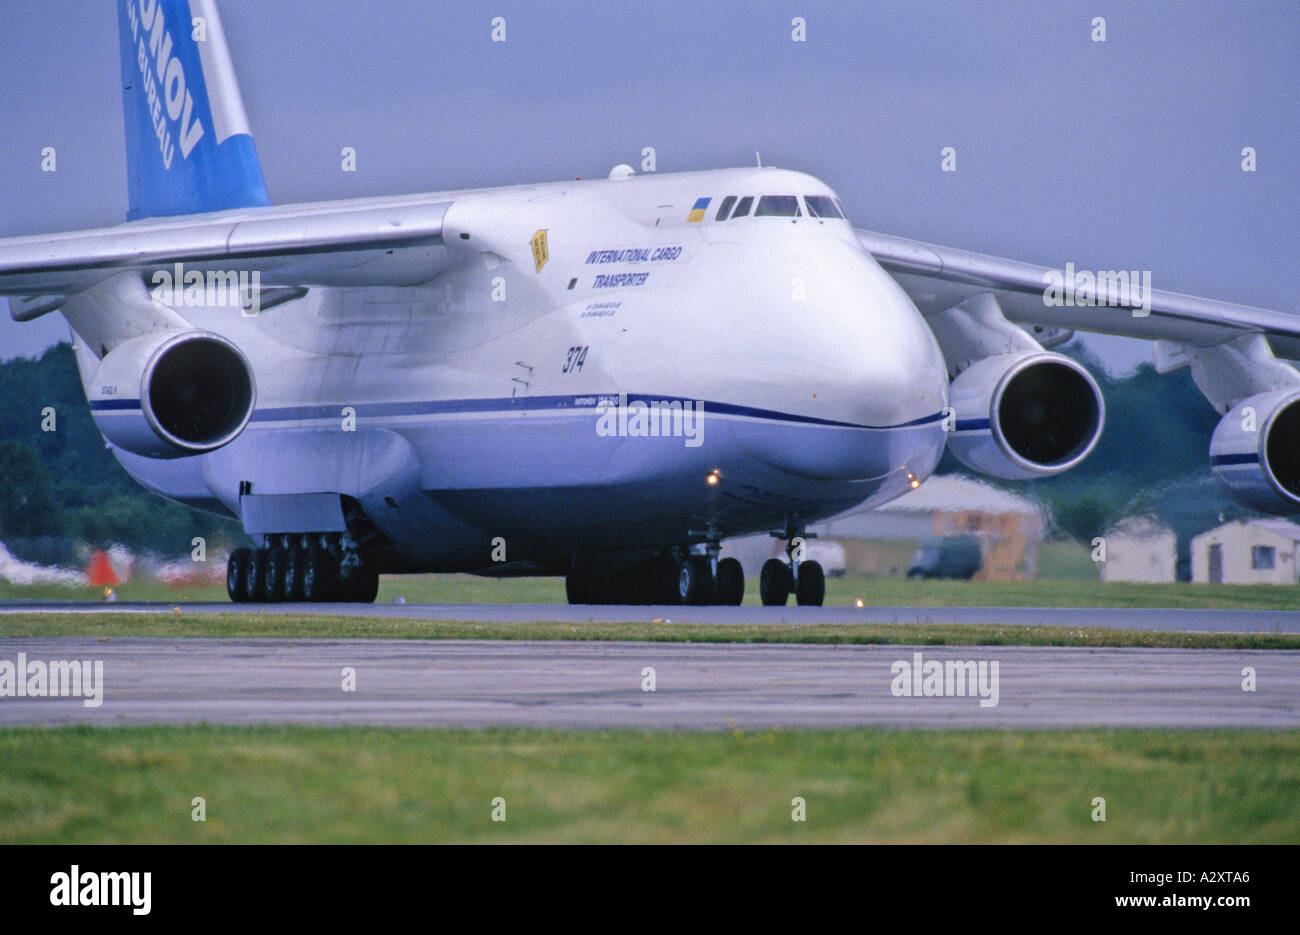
[183, 624]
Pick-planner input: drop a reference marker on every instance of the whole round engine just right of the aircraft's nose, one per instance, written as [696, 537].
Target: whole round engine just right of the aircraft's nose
[1025, 415]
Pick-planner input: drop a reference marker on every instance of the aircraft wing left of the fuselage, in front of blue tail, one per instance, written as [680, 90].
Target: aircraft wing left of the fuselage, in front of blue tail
[389, 241]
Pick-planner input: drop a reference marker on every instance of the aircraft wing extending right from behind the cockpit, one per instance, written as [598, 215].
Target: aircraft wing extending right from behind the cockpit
[941, 278]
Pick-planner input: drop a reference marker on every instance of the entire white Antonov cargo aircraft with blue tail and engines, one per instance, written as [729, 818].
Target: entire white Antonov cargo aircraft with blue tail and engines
[595, 379]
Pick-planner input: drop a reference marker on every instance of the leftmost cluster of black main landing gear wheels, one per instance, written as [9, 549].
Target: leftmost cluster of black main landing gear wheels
[298, 574]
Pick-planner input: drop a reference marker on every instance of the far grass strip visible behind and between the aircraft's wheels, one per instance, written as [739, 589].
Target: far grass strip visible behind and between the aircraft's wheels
[874, 592]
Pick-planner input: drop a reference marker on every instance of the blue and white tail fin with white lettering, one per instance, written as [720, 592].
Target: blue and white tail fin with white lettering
[189, 149]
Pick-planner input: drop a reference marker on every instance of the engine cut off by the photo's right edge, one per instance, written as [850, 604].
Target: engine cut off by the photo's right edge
[1255, 452]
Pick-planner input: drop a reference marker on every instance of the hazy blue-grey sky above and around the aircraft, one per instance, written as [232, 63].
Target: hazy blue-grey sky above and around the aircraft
[1124, 154]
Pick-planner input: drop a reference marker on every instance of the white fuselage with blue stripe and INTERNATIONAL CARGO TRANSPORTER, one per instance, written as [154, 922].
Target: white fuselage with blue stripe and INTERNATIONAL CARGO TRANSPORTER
[478, 406]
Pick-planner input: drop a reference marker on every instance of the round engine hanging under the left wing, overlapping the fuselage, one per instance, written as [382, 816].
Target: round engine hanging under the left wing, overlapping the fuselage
[172, 395]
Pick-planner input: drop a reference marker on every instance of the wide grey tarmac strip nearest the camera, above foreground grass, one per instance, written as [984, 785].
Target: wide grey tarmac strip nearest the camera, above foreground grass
[562, 685]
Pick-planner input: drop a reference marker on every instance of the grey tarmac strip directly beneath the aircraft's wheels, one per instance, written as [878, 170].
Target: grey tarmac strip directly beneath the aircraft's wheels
[1125, 618]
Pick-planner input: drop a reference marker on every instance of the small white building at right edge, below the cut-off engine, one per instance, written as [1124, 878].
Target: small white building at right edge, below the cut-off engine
[1247, 552]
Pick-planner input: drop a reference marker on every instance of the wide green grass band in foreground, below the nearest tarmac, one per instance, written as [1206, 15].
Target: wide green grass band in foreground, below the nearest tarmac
[293, 785]
